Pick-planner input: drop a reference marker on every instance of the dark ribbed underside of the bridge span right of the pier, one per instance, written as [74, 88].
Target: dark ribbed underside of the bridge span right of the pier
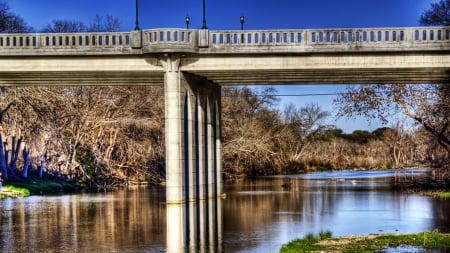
[328, 76]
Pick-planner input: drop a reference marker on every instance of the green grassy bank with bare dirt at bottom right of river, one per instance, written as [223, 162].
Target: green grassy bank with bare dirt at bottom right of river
[361, 244]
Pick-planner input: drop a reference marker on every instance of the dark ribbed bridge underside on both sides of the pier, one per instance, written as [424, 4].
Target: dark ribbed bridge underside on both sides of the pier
[234, 77]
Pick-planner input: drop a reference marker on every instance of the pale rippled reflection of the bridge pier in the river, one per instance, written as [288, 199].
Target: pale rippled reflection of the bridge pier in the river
[195, 226]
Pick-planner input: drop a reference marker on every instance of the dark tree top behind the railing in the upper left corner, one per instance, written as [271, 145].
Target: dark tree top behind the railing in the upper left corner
[10, 22]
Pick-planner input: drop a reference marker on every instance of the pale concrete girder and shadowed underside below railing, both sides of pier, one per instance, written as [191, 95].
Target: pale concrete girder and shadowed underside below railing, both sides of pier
[231, 70]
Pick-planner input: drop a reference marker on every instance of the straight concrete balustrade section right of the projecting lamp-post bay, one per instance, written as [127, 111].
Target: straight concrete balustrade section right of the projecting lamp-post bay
[430, 38]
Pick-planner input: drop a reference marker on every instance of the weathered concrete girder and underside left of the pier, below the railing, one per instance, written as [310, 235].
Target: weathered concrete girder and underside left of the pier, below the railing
[112, 70]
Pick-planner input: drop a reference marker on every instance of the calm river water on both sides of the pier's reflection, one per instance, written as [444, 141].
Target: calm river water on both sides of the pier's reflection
[256, 216]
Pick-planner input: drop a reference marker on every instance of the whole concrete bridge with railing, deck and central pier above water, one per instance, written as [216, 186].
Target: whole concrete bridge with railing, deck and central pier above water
[193, 64]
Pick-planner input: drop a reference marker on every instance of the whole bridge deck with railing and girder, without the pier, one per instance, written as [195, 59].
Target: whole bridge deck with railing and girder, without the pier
[412, 54]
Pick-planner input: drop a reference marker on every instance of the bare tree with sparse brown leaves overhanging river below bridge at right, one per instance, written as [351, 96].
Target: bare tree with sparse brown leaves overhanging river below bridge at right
[427, 105]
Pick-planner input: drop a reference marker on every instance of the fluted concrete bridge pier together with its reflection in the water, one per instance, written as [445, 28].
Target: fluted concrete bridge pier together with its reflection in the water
[193, 161]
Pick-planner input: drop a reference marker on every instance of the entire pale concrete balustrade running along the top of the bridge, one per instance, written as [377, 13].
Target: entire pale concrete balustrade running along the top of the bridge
[187, 41]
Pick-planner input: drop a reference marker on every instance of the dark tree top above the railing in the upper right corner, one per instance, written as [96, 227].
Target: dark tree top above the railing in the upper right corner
[438, 14]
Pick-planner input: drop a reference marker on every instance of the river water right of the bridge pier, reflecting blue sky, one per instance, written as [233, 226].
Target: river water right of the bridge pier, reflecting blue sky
[260, 215]
